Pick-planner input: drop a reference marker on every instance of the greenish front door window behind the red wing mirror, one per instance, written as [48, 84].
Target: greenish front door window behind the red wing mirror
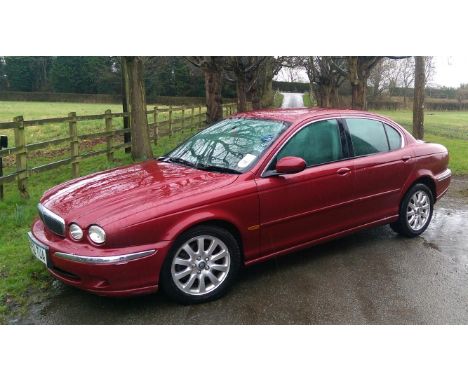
[317, 143]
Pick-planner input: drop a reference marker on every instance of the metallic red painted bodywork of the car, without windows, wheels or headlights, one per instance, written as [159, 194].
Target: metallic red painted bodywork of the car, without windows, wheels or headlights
[147, 205]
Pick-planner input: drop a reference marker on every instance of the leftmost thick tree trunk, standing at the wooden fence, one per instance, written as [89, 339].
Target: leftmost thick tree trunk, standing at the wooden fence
[141, 147]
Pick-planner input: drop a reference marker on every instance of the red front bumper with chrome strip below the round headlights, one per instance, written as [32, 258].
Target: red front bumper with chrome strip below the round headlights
[112, 272]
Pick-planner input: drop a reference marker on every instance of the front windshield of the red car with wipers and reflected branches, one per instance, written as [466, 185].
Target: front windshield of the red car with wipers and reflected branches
[232, 145]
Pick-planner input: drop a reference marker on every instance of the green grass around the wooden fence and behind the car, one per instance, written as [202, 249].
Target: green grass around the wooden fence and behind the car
[24, 280]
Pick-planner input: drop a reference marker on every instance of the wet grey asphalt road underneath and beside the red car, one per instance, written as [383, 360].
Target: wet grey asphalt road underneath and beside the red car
[372, 277]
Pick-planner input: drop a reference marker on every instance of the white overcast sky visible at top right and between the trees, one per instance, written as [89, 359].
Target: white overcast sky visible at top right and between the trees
[450, 71]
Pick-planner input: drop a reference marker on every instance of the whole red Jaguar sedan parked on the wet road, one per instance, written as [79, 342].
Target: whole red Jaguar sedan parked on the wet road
[246, 189]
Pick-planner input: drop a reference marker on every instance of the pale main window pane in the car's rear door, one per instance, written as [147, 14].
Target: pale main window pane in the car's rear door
[368, 136]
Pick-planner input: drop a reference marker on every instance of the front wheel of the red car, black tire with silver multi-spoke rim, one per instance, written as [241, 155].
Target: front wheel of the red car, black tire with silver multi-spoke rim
[192, 276]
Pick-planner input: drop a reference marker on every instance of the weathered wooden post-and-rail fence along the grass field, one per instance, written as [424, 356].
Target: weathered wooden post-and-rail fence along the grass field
[175, 120]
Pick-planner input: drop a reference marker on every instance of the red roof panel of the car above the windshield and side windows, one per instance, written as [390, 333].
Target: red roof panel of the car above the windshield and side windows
[300, 114]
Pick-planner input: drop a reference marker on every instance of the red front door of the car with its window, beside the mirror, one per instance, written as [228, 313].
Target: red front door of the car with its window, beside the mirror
[316, 202]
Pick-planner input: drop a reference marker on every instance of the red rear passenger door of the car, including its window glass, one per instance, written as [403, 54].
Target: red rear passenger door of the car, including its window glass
[382, 164]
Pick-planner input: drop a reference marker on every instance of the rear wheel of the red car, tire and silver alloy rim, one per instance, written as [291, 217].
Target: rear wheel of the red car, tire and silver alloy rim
[417, 204]
